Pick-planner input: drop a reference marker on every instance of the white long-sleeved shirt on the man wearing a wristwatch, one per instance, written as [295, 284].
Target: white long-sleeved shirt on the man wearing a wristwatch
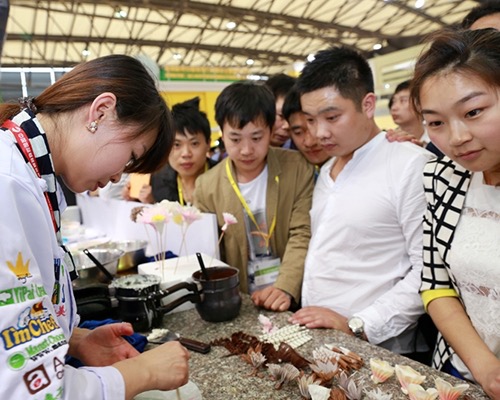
[365, 254]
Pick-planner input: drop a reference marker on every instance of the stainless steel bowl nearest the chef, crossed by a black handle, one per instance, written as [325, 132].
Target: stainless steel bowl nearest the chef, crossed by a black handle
[88, 271]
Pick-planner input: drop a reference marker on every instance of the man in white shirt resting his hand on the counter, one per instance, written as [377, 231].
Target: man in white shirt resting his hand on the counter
[362, 270]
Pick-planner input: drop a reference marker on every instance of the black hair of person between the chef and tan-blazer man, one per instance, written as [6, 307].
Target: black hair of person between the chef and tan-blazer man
[188, 117]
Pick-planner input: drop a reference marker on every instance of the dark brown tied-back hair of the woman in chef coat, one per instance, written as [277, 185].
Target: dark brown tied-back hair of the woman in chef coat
[138, 102]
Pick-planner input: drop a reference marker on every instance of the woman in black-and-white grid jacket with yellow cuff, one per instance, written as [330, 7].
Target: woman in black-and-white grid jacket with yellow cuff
[456, 90]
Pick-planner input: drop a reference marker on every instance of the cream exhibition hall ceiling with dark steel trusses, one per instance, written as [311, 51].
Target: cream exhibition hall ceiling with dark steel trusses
[265, 36]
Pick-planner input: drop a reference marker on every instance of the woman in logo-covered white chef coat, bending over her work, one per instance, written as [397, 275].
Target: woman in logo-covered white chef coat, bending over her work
[100, 119]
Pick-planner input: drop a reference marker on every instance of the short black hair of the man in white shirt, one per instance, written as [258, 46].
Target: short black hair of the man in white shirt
[341, 67]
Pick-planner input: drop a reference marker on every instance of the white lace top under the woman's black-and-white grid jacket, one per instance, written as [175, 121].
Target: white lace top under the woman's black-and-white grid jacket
[475, 263]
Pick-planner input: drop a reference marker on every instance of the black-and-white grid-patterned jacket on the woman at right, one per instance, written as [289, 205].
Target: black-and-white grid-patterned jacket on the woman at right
[446, 184]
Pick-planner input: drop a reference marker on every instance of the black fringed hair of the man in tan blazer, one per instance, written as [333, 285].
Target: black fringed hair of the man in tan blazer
[243, 102]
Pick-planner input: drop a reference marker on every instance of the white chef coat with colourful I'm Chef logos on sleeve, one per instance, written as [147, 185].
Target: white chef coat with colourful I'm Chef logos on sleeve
[34, 331]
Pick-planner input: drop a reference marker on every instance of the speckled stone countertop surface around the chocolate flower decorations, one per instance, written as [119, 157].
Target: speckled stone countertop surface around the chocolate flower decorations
[223, 377]
